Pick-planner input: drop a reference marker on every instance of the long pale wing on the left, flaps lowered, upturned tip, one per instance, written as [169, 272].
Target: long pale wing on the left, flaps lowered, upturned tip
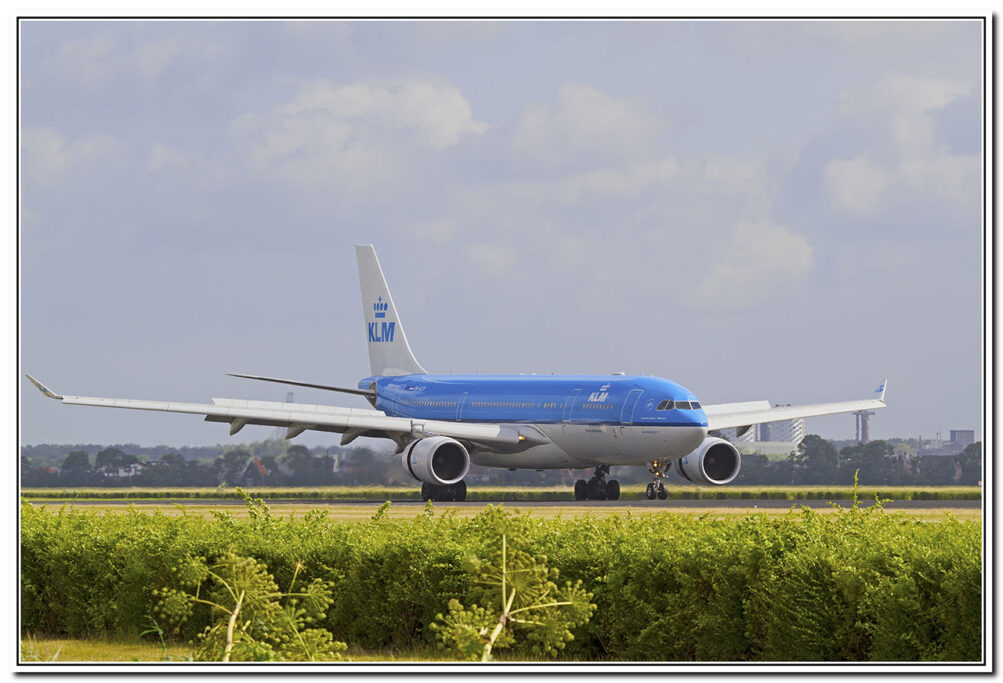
[298, 418]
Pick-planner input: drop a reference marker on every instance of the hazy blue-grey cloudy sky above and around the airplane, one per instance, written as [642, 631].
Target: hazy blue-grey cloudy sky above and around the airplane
[788, 211]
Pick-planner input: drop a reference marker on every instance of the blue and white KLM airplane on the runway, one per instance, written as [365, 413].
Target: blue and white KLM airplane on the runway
[442, 425]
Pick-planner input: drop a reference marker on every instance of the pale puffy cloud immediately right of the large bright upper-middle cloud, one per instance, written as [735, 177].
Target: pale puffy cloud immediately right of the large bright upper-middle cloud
[585, 123]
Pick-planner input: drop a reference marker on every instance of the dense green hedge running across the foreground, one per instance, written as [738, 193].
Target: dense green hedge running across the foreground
[857, 585]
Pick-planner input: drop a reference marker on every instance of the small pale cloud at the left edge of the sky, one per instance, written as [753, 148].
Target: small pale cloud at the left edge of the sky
[48, 158]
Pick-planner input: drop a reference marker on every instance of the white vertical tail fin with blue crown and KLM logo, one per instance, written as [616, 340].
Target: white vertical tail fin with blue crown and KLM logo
[390, 354]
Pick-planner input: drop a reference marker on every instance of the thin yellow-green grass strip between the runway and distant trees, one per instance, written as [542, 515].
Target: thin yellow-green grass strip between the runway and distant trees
[506, 494]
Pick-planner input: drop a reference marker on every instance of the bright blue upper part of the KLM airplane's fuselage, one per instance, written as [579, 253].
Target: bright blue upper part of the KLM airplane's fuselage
[570, 400]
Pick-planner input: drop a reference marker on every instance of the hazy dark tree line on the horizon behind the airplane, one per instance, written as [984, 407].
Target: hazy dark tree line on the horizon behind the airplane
[276, 464]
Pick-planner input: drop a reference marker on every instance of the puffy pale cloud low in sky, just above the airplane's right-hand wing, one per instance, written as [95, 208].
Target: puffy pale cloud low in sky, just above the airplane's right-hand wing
[761, 258]
